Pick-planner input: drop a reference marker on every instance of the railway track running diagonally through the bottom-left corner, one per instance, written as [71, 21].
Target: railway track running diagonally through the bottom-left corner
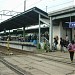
[14, 68]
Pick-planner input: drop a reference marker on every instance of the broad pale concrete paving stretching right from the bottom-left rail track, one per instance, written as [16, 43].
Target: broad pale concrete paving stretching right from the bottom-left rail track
[51, 63]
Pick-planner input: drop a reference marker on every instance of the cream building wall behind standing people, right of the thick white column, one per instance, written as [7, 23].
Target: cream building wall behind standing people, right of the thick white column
[61, 32]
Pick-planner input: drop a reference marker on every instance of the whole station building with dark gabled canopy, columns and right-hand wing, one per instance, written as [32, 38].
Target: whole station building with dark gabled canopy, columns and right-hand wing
[60, 23]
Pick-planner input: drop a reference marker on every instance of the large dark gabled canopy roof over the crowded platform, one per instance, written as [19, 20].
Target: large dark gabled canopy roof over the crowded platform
[24, 19]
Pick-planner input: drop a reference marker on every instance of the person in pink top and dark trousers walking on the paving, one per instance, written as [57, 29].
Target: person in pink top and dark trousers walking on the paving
[71, 49]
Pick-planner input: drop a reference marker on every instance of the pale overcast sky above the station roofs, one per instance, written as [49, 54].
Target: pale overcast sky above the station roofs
[18, 5]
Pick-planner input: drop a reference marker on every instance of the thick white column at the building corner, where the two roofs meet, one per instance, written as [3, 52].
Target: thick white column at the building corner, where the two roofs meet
[50, 33]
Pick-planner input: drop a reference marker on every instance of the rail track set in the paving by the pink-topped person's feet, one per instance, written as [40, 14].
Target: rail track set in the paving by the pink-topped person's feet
[56, 59]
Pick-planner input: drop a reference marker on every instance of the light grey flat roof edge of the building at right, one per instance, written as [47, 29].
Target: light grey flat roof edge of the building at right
[63, 13]
